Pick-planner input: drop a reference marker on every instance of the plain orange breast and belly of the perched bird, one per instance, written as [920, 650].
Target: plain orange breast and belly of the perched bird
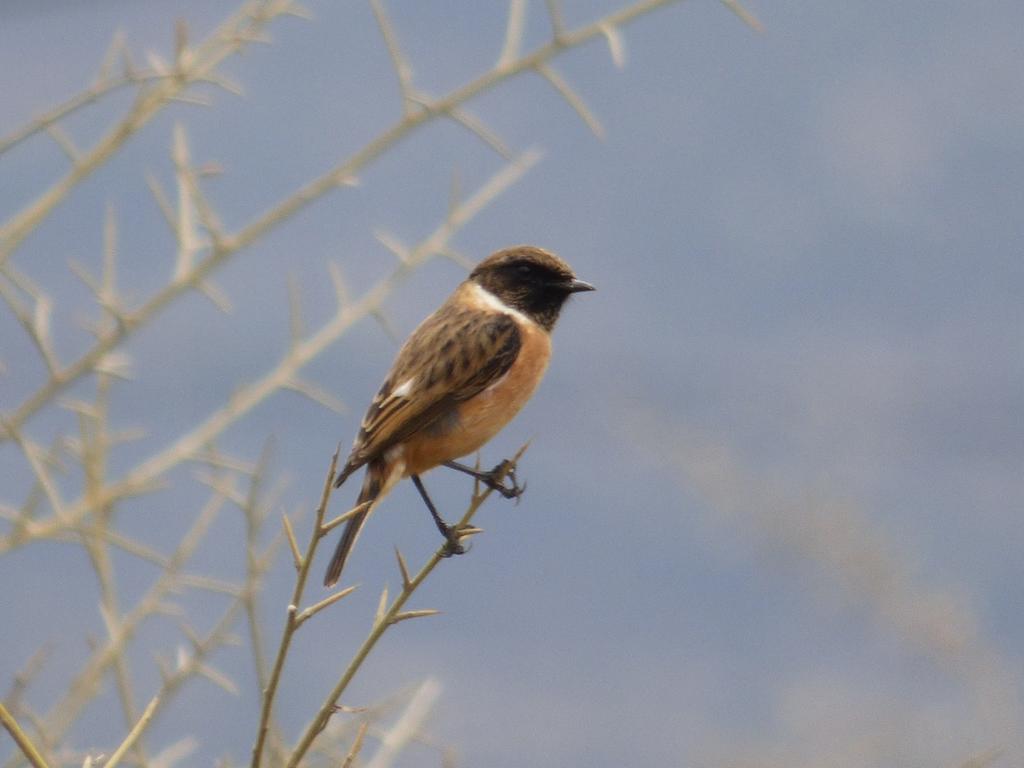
[483, 417]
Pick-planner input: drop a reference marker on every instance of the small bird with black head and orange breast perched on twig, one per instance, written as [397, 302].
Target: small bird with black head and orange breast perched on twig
[457, 381]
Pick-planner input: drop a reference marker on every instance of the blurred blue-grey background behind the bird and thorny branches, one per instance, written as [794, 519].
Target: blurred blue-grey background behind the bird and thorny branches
[777, 470]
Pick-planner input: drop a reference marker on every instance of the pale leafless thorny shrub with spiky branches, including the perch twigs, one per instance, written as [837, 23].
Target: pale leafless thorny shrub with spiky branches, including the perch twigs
[203, 245]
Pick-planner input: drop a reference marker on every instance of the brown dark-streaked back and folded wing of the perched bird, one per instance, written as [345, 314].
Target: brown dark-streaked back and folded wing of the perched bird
[455, 355]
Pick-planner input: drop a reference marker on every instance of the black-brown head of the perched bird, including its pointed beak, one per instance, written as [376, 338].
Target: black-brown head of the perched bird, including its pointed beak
[531, 280]
